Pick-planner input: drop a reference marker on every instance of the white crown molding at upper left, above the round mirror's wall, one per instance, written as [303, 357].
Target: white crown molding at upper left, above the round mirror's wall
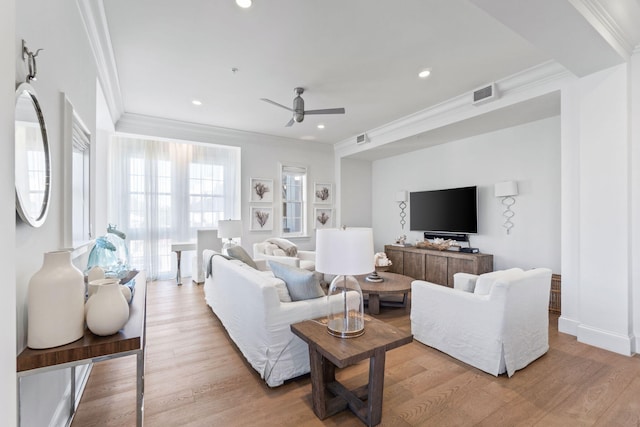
[95, 23]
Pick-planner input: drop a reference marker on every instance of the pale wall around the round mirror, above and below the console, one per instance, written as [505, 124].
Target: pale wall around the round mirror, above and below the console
[65, 65]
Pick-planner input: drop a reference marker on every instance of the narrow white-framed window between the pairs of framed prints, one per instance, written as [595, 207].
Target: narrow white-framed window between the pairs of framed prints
[294, 198]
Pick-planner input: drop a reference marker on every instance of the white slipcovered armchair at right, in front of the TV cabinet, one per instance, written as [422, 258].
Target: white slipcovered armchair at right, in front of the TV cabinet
[497, 322]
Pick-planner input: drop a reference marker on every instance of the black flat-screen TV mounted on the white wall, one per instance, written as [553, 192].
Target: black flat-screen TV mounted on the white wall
[453, 210]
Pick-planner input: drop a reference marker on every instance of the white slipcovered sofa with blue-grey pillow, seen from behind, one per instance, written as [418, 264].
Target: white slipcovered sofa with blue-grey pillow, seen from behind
[249, 303]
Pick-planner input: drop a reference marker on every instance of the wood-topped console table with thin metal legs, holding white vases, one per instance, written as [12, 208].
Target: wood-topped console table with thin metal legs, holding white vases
[129, 341]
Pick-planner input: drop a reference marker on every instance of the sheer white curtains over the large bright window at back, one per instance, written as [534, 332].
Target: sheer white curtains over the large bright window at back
[163, 191]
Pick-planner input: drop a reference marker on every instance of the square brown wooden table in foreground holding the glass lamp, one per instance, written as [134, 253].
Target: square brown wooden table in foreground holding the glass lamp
[326, 352]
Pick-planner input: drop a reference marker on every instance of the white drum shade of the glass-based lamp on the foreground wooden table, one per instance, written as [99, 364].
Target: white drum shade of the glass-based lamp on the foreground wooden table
[347, 251]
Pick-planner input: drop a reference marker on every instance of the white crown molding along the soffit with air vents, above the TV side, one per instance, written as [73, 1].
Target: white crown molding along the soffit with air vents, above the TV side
[535, 81]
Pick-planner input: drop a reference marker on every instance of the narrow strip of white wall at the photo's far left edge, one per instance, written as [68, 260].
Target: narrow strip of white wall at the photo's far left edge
[8, 43]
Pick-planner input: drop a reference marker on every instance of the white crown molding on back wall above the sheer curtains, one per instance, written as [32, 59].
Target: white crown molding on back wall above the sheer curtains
[138, 124]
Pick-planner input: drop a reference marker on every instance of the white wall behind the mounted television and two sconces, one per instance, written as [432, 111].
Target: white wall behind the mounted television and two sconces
[528, 154]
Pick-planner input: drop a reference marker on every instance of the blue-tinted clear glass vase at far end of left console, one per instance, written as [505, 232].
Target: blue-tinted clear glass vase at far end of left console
[110, 253]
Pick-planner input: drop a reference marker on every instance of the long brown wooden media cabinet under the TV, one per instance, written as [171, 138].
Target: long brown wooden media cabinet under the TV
[436, 266]
